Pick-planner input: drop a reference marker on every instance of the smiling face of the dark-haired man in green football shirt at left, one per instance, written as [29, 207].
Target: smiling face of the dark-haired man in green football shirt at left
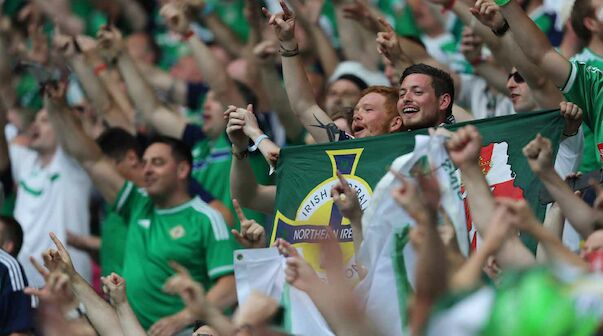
[162, 173]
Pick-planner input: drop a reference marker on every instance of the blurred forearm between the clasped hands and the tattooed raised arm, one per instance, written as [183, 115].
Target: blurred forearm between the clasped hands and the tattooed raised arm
[277, 99]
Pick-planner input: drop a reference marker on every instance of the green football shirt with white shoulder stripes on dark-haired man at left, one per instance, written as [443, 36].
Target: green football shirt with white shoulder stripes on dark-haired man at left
[192, 234]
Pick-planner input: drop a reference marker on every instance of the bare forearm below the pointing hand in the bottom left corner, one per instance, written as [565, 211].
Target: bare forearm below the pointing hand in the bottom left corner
[100, 313]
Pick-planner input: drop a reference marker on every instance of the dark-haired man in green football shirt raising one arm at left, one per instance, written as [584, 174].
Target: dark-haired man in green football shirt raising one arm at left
[164, 223]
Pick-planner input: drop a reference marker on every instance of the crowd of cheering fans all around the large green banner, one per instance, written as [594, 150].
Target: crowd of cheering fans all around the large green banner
[141, 135]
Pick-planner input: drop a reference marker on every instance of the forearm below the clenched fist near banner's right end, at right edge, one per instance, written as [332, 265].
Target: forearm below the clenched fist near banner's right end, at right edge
[580, 215]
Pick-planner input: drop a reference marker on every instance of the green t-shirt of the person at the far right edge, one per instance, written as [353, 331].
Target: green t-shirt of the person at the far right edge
[584, 87]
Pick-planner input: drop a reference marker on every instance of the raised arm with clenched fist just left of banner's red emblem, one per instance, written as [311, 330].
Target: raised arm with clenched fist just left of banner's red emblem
[464, 149]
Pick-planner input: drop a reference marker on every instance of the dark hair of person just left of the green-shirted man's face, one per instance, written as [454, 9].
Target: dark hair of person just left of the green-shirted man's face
[115, 142]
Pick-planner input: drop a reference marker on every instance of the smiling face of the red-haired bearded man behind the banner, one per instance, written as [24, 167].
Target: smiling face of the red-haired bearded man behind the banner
[373, 116]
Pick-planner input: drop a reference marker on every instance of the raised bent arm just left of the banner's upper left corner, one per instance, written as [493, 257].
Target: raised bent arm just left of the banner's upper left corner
[243, 184]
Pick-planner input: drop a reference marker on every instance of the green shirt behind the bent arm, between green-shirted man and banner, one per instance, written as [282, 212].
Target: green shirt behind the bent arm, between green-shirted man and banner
[211, 167]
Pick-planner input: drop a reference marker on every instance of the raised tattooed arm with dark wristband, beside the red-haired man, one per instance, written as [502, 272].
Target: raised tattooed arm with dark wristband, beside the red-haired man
[302, 100]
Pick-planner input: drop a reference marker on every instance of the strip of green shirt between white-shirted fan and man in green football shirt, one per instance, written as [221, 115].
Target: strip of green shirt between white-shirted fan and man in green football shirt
[114, 231]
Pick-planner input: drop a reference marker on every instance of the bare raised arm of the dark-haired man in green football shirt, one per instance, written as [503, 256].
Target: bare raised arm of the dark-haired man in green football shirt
[78, 145]
